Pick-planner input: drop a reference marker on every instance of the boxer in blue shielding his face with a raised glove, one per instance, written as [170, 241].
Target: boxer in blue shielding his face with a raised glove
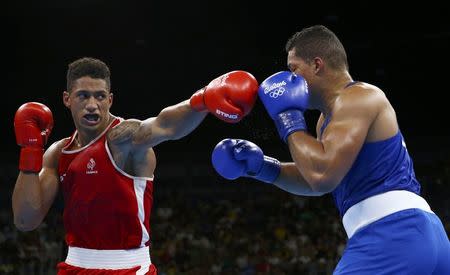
[359, 156]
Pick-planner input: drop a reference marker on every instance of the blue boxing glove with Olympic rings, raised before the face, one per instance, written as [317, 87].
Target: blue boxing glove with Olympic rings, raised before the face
[285, 97]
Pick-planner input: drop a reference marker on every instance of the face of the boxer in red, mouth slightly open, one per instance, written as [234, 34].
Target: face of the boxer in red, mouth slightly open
[89, 102]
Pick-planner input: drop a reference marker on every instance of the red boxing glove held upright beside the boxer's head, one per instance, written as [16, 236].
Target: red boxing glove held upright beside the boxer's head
[33, 124]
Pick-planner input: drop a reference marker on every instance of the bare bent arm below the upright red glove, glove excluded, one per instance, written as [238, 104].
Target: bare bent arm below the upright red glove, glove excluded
[34, 193]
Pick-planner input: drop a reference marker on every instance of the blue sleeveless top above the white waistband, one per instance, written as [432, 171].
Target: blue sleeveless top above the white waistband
[380, 166]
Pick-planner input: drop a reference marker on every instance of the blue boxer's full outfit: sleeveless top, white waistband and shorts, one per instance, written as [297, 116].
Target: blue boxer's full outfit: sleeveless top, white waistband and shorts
[391, 229]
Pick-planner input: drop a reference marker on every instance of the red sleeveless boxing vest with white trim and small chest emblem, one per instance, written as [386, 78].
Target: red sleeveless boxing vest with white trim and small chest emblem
[104, 207]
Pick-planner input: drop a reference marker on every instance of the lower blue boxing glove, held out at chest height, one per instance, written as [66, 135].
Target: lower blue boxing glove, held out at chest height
[234, 158]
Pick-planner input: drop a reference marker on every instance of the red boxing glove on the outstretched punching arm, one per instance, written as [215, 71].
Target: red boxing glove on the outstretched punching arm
[229, 97]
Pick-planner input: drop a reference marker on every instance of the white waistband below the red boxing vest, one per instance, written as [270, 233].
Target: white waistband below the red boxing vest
[108, 259]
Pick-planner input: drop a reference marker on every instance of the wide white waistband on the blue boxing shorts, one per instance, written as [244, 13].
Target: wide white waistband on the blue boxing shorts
[379, 206]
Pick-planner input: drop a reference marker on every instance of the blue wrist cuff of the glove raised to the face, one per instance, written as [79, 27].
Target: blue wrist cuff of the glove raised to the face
[288, 122]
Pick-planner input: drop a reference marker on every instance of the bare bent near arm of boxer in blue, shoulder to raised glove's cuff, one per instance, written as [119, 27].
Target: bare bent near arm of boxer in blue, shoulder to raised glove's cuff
[324, 163]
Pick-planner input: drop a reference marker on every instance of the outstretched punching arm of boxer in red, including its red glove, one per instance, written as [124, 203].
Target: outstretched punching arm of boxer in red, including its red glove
[230, 97]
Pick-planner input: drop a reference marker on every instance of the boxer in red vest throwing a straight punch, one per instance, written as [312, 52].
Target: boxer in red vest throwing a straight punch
[105, 168]
